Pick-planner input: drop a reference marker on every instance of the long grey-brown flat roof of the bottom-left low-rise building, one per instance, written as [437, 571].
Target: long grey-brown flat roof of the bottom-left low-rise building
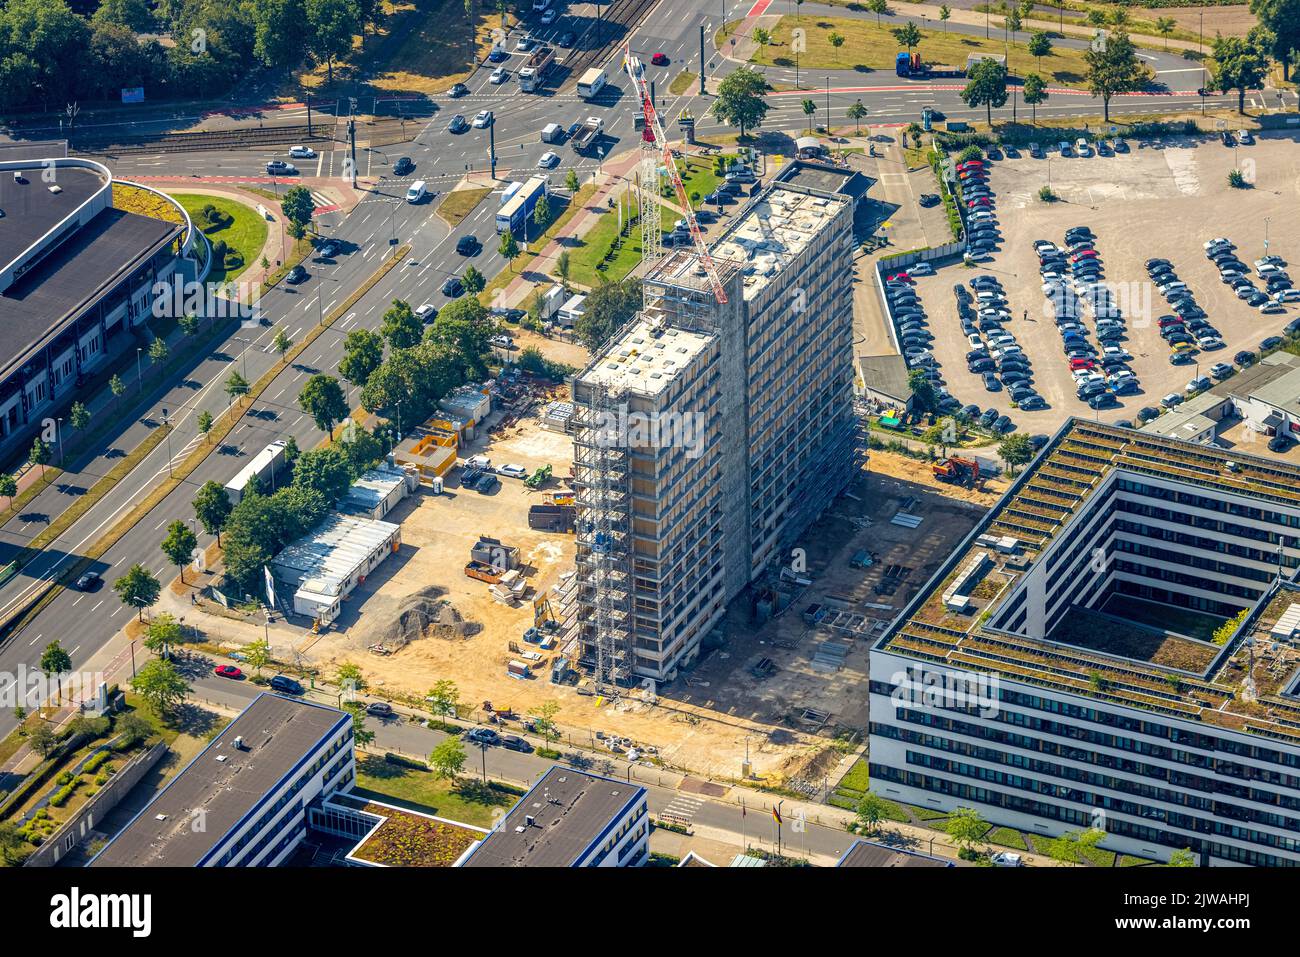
[223, 783]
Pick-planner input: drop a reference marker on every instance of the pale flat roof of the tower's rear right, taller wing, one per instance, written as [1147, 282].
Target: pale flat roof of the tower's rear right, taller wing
[778, 227]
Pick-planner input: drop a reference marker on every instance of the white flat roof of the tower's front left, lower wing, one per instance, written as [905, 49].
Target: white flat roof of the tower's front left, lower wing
[647, 357]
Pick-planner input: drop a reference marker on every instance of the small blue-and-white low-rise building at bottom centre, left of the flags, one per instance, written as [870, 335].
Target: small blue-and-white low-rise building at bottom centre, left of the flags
[570, 820]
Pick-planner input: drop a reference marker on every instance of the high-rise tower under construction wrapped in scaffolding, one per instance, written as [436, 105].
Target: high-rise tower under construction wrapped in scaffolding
[710, 435]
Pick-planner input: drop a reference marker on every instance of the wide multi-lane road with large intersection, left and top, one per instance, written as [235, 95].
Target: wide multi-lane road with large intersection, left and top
[84, 622]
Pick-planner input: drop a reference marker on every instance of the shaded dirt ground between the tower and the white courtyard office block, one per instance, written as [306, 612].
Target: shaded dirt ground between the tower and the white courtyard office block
[803, 696]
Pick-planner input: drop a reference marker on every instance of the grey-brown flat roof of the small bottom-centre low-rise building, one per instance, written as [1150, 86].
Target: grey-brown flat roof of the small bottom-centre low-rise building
[571, 812]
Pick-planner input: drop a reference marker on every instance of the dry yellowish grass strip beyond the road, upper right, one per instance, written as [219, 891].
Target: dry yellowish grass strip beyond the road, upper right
[869, 47]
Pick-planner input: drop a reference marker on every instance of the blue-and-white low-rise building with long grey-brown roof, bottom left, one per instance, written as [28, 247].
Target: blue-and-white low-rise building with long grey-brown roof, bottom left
[242, 803]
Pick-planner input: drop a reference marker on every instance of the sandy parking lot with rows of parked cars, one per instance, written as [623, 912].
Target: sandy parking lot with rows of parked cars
[1162, 200]
